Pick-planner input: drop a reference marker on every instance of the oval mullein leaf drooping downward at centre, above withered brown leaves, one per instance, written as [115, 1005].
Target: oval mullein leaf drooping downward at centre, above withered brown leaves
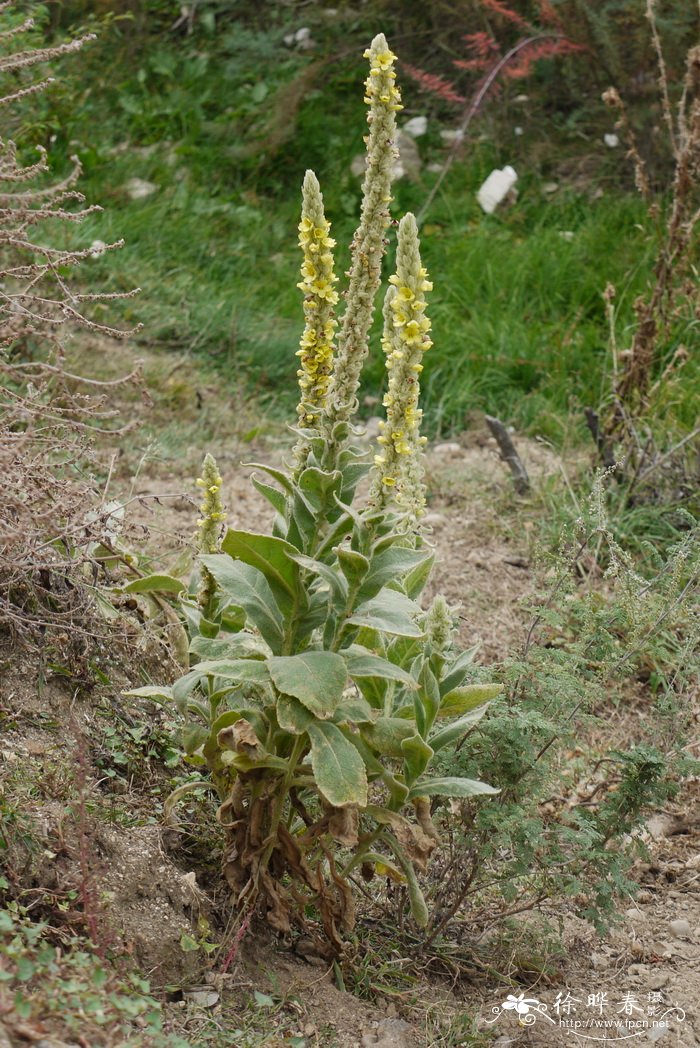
[338, 768]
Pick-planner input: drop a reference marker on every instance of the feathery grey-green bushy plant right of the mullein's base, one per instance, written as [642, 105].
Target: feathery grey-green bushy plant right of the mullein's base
[566, 823]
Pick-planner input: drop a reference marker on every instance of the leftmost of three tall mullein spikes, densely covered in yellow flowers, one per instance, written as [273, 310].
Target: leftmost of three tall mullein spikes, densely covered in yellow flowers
[317, 283]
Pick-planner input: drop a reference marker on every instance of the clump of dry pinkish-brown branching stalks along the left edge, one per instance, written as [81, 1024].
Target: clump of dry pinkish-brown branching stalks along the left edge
[50, 504]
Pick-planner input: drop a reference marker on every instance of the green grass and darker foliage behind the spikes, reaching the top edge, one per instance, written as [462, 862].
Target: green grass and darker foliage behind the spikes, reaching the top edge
[226, 119]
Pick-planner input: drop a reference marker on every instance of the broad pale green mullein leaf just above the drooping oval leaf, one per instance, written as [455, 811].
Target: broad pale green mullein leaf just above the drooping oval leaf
[318, 680]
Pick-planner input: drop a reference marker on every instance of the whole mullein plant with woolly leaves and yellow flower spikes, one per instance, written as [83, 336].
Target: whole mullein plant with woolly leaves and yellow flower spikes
[320, 690]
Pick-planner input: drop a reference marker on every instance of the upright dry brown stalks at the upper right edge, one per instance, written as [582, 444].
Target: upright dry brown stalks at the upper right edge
[623, 431]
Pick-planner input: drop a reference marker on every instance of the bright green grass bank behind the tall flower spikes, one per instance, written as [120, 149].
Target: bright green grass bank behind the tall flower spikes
[519, 324]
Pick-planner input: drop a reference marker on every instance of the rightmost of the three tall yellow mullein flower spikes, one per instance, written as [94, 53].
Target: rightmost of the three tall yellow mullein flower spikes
[398, 475]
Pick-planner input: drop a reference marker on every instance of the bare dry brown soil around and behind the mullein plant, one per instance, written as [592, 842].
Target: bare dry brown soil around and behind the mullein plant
[650, 962]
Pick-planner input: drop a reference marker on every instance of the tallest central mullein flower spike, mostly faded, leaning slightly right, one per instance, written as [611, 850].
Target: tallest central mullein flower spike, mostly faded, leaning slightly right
[368, 244]
